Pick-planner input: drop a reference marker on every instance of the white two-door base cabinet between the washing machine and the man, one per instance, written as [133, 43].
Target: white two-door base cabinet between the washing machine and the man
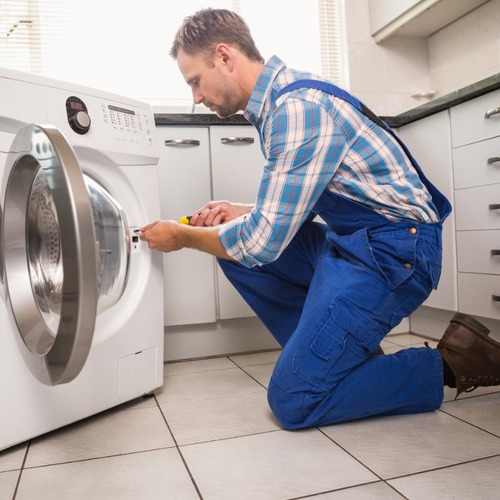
[198, 164]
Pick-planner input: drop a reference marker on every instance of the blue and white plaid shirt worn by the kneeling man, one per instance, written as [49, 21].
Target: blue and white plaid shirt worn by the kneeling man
[314, 141]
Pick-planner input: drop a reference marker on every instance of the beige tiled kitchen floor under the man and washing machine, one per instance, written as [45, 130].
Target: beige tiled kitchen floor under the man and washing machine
[208, 433]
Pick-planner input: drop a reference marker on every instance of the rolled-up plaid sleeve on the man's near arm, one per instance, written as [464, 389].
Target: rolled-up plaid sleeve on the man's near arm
[299, 165]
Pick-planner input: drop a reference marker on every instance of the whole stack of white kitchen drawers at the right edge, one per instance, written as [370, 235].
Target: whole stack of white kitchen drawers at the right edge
[476, 158]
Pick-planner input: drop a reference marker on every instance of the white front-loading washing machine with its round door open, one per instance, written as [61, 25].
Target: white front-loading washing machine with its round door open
[81, 307]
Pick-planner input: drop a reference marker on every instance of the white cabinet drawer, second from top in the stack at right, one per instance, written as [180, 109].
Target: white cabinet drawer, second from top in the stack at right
[477, 164]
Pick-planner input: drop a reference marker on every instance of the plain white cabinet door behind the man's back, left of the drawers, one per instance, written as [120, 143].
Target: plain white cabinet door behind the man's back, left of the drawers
[429, 141]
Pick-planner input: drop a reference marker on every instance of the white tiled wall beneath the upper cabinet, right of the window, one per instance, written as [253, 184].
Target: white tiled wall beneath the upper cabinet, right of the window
[386, 75]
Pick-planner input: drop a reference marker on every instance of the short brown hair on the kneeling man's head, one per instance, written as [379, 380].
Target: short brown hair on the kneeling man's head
[202, 31]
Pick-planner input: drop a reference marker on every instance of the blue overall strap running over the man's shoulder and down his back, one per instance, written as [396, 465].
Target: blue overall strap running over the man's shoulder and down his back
[330, 88]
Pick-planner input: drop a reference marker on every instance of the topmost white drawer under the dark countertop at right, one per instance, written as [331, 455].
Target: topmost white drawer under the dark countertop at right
[469, 123]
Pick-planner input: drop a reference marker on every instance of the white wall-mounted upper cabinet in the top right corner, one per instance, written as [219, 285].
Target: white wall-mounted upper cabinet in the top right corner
[419, 18]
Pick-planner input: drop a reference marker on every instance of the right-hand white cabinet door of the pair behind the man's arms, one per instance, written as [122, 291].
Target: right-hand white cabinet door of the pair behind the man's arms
[237, 163]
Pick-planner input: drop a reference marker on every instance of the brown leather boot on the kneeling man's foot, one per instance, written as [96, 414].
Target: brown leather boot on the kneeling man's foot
[473, 357]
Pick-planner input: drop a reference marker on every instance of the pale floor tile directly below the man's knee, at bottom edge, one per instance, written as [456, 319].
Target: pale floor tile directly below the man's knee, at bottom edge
[271, 466]
